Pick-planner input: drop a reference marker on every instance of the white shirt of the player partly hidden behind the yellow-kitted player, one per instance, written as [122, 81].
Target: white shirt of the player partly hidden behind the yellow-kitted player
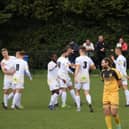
[121, 65]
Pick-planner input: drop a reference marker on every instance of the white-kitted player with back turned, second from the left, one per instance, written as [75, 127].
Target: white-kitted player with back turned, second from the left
[21, 68]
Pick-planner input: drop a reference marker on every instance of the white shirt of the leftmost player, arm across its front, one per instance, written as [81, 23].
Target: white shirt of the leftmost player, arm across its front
[8, 65]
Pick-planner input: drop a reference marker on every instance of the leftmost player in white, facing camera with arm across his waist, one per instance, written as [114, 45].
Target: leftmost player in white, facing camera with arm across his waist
[8, 70]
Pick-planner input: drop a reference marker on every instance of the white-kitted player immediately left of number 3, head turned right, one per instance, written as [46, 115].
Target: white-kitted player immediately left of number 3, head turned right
[63, 75]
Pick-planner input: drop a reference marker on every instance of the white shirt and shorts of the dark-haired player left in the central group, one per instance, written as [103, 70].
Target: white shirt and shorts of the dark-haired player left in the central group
[52, 76]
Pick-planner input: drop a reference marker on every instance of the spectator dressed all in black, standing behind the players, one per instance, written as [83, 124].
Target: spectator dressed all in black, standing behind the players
[100, 51]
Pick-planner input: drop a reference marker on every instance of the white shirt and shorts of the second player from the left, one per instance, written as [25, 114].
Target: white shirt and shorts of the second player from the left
[21, 68]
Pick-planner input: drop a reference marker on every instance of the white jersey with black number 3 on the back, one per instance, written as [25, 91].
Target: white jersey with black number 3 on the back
[85, 63]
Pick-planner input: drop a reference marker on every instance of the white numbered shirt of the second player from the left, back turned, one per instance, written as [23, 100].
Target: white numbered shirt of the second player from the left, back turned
[21, 68]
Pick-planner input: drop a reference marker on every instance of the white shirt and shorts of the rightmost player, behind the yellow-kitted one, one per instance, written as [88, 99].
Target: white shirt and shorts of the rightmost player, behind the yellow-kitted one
[121, 65]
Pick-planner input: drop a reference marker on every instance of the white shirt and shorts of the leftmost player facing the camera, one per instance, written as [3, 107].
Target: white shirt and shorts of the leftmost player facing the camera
[9, 66]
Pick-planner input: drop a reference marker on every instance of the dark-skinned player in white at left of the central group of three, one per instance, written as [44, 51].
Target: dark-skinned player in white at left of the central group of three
[53, 81]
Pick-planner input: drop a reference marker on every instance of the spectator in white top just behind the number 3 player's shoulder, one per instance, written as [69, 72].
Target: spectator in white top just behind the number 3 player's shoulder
[89, 48]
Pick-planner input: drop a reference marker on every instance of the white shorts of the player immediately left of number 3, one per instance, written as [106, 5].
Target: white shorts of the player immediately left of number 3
[65, 84]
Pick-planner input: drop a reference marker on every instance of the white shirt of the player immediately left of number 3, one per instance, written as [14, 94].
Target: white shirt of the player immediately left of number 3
[63, 67]
